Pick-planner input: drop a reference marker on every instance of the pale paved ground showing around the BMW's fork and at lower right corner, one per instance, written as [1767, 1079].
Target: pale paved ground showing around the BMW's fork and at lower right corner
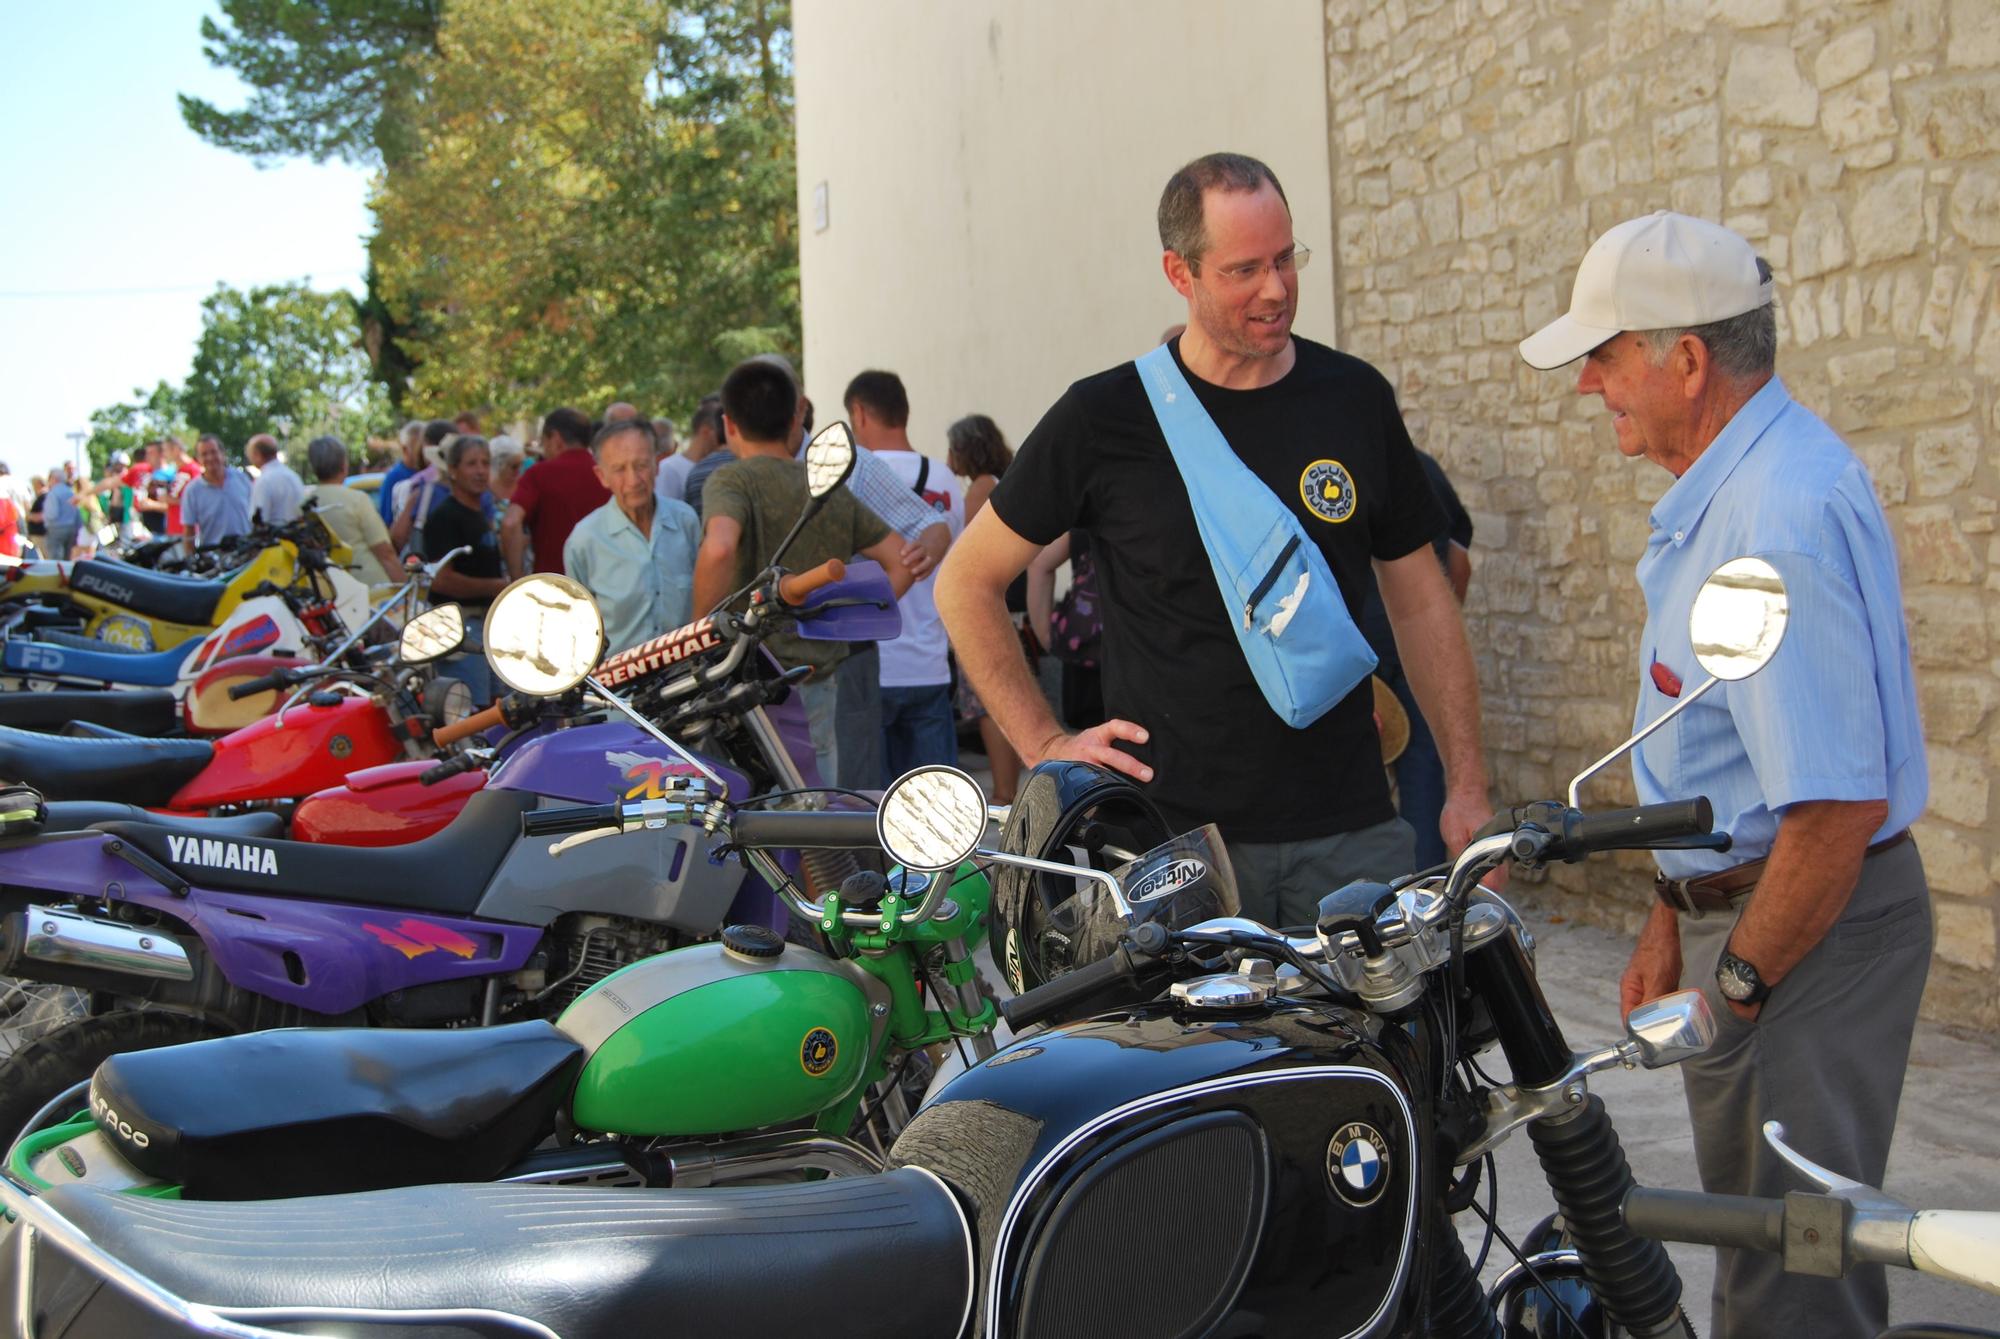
[1947, 1152]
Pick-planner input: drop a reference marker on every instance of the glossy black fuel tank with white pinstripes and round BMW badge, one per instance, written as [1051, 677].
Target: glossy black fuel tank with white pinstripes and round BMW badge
[1251, 1174]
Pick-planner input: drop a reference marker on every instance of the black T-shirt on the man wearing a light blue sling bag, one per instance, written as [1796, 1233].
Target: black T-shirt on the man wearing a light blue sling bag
[1171, 657]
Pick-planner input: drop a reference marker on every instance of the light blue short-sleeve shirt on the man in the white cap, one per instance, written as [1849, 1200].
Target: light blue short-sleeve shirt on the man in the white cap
[1833, 716]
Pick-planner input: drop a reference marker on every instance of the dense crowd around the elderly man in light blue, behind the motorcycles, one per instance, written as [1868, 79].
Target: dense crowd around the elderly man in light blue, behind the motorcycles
[661, 527]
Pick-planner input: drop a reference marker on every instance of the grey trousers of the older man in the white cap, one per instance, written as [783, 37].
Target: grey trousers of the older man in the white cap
[1825, 1056]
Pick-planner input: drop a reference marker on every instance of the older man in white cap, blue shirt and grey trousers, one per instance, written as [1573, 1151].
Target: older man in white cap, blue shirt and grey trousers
[1813, 934]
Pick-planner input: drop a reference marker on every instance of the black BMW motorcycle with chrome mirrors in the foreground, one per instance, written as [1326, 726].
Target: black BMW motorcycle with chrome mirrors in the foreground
[1205, 1128]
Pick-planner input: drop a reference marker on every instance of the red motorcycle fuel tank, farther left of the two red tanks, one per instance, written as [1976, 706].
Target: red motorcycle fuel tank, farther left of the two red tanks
[293, 754]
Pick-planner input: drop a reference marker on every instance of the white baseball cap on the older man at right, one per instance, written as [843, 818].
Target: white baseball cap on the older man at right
[1657, 273]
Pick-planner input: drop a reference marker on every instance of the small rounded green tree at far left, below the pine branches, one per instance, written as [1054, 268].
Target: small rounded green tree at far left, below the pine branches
[285, 361]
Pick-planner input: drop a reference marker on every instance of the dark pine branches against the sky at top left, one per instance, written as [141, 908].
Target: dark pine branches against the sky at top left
[329, 79]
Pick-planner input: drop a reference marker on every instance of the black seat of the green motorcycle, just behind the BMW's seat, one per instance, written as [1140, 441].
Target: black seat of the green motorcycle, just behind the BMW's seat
[321, 1110]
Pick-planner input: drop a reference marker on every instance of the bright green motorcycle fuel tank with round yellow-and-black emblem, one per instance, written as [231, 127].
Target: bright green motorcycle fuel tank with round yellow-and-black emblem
[711, 1040]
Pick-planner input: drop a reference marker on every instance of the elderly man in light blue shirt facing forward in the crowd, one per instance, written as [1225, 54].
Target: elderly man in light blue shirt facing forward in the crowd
[637, 553]
